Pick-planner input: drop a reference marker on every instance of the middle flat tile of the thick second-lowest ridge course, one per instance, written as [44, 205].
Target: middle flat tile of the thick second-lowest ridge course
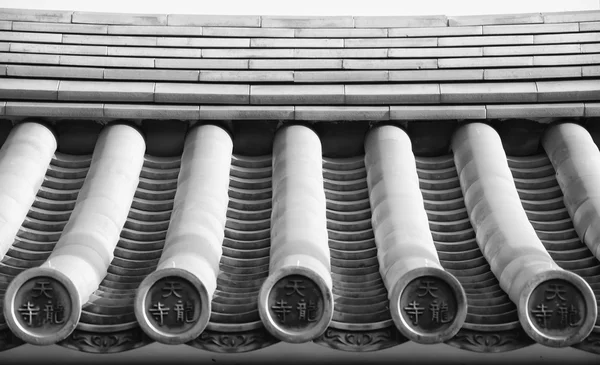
[297, 94]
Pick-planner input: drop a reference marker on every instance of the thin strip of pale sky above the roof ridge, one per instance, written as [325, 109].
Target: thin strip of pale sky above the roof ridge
[310, 7]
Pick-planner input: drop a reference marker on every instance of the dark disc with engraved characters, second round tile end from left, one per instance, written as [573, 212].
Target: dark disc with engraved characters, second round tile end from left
[173, 305]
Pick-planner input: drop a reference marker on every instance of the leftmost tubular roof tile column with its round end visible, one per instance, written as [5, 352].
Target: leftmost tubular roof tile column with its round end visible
[83, 253]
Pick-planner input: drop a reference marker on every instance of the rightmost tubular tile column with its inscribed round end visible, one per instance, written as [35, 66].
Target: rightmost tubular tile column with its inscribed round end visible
[525, 270]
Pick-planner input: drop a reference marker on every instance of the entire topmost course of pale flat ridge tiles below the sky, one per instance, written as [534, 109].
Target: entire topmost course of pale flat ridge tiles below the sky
[286, 21]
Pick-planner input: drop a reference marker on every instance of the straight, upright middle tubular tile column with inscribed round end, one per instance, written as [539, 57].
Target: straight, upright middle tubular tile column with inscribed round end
[296, 300]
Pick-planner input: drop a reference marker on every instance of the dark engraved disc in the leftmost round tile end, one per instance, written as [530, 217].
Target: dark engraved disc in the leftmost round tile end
[43, 305]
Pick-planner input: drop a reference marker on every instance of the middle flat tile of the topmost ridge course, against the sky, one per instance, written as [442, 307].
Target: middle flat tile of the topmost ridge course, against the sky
[307, 22]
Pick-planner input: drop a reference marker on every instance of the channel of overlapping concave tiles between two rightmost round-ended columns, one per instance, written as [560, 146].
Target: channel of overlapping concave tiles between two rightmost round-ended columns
[490, 313]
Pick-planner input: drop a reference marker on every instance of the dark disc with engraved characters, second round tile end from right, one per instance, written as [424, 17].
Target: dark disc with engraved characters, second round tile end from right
[428, 304]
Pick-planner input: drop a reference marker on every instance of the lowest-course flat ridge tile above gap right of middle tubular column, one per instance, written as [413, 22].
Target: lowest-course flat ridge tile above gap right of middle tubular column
[345, 113]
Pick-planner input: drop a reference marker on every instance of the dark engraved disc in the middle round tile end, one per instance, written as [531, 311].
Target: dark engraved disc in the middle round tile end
[296, 303]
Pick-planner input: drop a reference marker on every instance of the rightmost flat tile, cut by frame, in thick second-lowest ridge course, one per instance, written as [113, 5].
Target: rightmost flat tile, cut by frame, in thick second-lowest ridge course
[569, 90]
